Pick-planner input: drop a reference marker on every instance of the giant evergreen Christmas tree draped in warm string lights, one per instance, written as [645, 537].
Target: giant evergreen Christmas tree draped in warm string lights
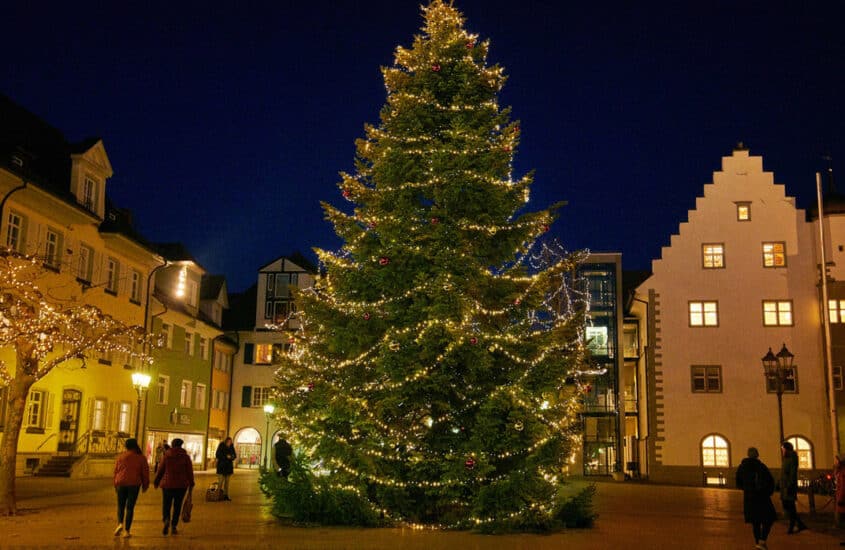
[432, 382]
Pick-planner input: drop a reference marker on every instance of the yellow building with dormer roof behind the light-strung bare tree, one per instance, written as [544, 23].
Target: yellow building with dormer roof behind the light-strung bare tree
[53, 204]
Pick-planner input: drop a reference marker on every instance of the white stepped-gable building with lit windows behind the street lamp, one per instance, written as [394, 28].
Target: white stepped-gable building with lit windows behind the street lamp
[739, 277]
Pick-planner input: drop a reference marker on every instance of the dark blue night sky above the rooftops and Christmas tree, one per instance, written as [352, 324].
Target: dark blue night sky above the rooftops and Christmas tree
[227, 122]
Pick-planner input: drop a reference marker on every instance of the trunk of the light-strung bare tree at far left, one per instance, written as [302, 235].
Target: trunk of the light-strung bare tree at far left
[18, 391]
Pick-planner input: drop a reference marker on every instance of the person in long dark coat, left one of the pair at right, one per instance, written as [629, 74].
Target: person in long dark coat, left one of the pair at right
[757, 485]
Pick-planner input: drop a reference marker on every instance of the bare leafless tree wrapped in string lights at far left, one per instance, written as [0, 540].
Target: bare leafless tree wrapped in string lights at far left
[44, 333]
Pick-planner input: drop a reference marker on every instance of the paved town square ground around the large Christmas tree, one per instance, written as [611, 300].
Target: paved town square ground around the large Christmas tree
[63, 513]
